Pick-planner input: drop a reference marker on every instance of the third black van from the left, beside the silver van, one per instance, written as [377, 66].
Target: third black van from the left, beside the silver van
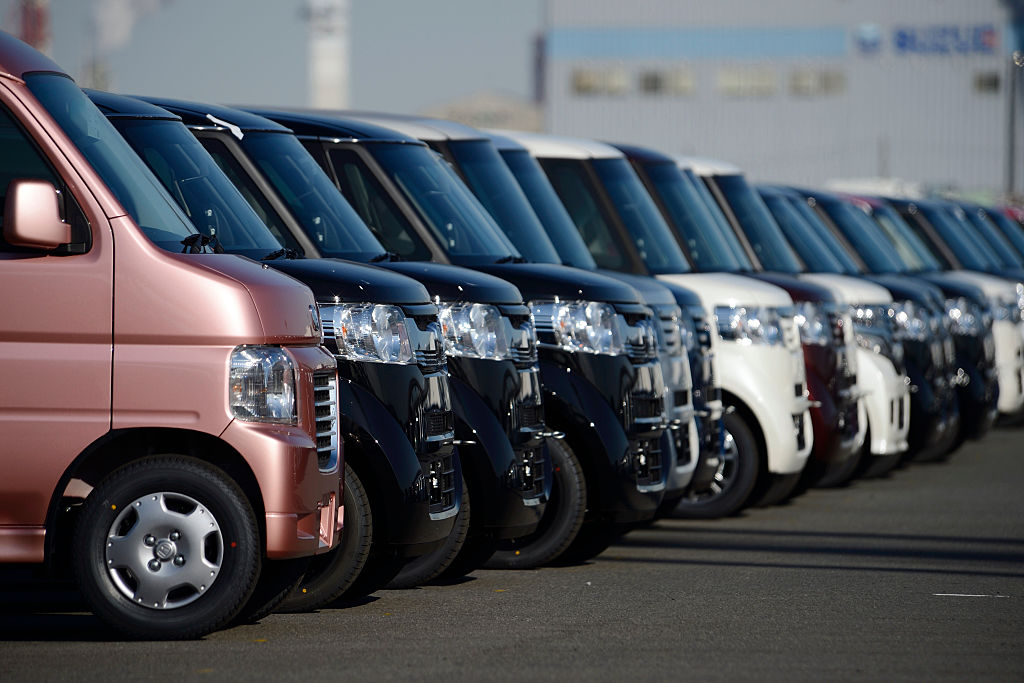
[599, 351]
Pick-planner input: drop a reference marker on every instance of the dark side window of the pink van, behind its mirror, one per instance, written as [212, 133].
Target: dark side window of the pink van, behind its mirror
[21, 159]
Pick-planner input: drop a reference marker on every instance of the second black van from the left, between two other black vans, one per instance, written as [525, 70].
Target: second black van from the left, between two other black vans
[487, 329]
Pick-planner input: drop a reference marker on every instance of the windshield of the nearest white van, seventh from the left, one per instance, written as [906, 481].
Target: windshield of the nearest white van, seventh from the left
[654, 239]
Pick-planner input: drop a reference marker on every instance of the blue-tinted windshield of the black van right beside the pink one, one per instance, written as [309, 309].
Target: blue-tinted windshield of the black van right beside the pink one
[198, 185]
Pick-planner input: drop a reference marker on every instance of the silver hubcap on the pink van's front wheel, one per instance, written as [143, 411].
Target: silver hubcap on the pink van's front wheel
[164, 550]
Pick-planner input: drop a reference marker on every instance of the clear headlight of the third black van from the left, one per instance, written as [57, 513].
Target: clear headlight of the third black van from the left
[589, 327]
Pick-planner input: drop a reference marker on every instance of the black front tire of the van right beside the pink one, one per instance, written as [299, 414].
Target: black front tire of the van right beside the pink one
[330, 575]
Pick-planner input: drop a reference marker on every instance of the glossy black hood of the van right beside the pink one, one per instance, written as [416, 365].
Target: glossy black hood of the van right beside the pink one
[332, 279]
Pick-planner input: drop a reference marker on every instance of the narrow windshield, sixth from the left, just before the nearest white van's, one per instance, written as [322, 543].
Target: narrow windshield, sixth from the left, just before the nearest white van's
[556, 220]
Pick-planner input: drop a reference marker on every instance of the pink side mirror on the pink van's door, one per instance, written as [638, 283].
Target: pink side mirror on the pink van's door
[32, 218]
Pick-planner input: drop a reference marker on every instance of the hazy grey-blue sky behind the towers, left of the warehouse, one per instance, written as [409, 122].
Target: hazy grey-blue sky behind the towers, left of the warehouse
[407, 56]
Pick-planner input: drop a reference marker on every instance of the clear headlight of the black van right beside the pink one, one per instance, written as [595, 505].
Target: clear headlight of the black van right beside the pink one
[369, 332]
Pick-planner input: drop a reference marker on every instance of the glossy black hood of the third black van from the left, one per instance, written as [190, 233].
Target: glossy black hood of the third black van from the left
[545, 281]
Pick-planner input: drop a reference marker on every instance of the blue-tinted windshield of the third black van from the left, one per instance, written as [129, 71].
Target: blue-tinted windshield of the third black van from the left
[462, 227]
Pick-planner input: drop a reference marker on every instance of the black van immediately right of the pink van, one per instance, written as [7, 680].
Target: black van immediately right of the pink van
[392, 338]
